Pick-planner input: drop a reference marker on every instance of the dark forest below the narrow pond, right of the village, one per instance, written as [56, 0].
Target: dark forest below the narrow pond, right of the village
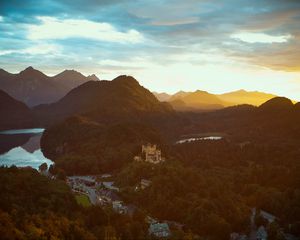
[211, 186]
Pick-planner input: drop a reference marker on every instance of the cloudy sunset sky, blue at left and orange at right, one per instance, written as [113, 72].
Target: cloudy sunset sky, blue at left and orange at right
[167, 45]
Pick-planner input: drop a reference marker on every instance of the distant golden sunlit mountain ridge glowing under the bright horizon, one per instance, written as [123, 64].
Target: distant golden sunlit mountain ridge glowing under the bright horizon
[202, 100]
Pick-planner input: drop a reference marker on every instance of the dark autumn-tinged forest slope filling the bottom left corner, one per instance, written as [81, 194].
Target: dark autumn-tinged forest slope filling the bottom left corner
[35, 207]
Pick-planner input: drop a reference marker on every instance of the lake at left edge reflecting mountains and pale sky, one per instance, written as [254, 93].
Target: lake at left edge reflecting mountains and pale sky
[21, 147]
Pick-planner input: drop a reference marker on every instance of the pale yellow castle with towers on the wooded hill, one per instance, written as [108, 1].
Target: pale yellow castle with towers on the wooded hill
[150, 154]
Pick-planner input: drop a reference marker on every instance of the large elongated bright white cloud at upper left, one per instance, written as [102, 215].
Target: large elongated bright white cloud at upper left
[53, 28]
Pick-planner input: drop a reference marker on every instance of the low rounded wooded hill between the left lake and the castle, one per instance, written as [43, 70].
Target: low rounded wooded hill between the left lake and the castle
[81, 146]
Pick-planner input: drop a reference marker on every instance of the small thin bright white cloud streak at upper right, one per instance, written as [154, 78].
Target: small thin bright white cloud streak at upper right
[260, 37]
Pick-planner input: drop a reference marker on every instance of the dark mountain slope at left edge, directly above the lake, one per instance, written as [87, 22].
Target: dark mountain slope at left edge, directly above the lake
[14, 114]
